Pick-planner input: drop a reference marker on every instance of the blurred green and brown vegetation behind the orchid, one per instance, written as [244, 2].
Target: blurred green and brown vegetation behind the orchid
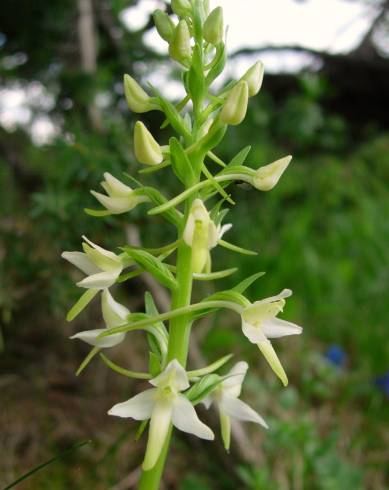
[323, 232]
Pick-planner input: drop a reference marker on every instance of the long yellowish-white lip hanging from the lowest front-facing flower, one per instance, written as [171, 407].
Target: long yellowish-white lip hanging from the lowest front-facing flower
[159, 428]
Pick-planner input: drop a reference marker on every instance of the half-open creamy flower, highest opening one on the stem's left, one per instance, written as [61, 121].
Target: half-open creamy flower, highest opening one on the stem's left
[121, 198]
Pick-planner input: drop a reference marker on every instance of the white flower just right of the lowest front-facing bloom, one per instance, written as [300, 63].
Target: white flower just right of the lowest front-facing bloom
[226, 397]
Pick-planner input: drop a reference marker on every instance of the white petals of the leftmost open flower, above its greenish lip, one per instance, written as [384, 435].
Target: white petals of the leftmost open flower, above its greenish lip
[101, 266]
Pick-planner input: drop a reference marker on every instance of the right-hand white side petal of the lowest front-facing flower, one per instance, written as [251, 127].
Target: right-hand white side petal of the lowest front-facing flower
[185, 418]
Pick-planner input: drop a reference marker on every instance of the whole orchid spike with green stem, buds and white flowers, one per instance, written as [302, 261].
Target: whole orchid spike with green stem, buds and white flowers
[200, 121]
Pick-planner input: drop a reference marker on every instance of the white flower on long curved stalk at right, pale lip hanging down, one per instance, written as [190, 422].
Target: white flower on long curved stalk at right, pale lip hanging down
[259, 323]
